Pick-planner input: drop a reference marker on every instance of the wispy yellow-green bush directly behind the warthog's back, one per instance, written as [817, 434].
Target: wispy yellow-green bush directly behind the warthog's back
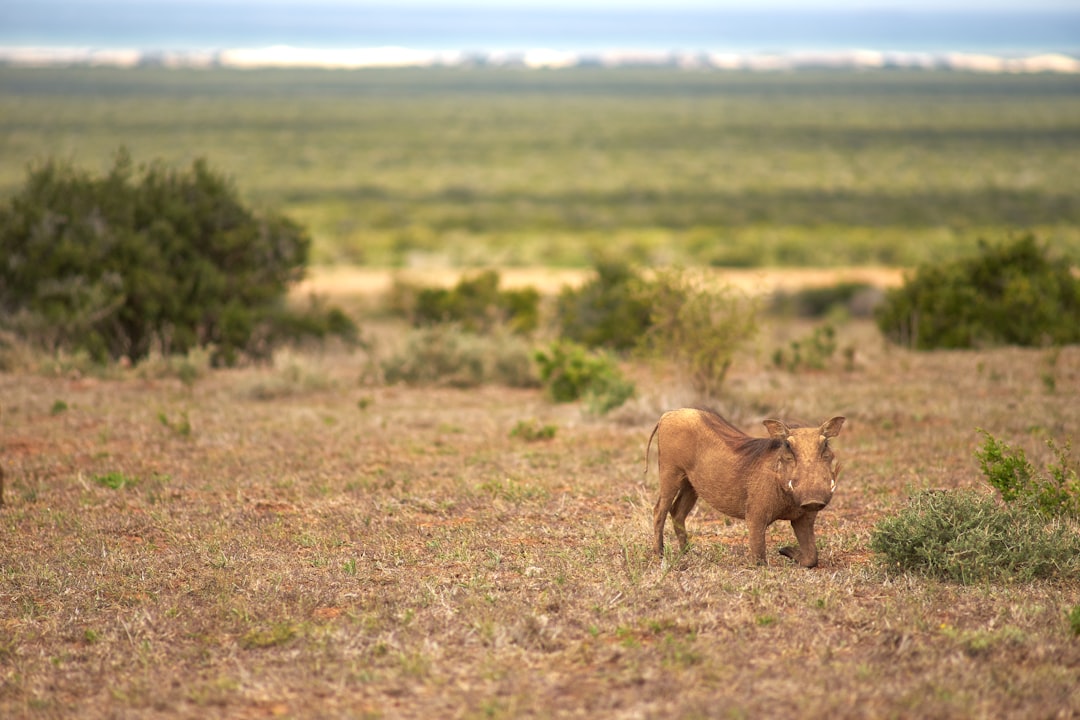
[696, 327]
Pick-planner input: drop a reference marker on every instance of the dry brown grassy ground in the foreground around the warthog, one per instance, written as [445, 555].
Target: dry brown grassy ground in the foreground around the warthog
[294, 542]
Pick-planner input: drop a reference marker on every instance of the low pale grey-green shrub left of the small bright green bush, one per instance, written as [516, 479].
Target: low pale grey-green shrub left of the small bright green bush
[444, 356]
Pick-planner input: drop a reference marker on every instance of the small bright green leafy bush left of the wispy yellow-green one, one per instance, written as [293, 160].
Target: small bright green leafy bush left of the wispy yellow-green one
[570, 372]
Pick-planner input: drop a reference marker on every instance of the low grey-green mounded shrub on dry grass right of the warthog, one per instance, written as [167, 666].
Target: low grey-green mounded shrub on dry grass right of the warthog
[968, 537]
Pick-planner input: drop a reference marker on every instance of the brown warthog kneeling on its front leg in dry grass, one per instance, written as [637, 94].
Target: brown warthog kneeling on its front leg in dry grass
[788, 477]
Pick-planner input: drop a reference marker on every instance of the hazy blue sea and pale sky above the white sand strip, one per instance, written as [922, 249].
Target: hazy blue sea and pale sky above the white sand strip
[190, 26]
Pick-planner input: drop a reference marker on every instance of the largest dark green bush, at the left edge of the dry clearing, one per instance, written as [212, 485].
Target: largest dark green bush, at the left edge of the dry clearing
[148, 259]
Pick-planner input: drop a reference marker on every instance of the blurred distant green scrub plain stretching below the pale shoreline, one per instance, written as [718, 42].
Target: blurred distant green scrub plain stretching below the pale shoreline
[484, 166]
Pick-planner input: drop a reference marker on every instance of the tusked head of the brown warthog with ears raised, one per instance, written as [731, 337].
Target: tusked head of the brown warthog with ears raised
[805, 464]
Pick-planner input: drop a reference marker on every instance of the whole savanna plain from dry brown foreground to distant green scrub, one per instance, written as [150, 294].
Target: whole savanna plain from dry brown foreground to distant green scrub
[303, 539]
